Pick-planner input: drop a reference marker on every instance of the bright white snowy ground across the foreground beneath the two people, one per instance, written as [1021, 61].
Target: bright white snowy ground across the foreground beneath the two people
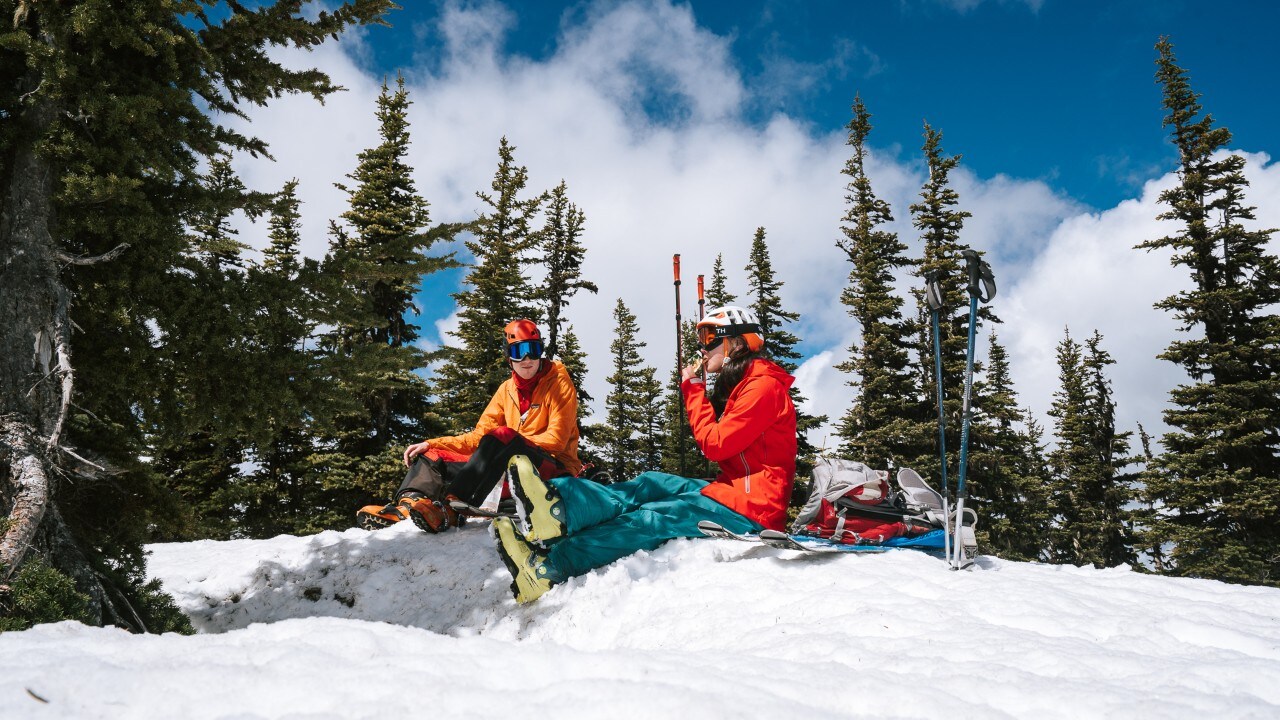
[399, 625]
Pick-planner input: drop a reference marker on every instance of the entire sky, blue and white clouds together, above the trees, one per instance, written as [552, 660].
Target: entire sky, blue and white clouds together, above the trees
[683, 129]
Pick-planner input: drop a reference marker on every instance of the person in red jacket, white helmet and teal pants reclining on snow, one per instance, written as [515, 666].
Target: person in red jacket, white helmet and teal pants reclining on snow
[747, 423]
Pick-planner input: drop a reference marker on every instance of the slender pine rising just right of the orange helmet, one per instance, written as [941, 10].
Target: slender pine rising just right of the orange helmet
[563, 258]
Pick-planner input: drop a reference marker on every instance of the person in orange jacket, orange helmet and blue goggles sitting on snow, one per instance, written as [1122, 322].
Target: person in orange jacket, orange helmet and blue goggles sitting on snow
[533, 414]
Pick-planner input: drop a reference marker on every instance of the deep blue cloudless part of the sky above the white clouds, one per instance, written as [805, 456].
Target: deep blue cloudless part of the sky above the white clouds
[1055, 90]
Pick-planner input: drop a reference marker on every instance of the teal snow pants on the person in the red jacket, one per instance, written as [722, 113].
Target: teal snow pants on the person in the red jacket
[605, 523]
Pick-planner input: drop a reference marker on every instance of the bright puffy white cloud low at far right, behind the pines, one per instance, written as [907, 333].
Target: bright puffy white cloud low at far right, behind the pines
[1090, 277]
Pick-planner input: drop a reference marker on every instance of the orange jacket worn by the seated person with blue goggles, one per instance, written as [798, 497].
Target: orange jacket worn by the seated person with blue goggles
[551, 422]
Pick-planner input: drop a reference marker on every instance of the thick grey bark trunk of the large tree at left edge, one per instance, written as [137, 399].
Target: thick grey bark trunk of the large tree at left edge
[35, 368]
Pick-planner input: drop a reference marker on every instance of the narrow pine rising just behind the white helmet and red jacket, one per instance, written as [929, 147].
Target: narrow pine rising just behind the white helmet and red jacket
[780, 343]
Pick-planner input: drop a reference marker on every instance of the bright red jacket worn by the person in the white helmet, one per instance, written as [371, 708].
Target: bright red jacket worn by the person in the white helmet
[755, 441]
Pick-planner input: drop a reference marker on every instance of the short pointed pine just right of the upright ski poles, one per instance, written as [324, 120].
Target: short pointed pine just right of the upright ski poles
[1012, 484]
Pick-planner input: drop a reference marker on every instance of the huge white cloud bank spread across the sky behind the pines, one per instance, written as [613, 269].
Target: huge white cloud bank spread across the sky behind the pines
[642, 112]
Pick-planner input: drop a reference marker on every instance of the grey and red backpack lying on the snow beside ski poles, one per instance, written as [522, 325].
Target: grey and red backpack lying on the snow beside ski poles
[853, 504]
